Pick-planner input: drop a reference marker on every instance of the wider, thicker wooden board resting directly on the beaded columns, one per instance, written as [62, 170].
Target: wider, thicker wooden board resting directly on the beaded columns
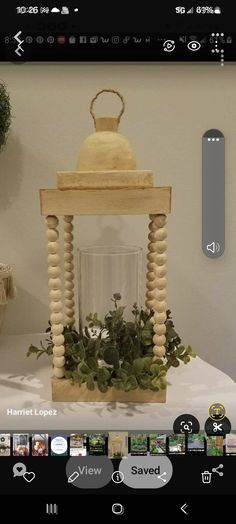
[155, 200]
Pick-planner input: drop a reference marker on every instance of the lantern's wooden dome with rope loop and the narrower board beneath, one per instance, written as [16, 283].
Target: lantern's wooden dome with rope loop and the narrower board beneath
[106, 158]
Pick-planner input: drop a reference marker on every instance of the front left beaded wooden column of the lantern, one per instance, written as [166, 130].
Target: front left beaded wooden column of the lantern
[55, 294]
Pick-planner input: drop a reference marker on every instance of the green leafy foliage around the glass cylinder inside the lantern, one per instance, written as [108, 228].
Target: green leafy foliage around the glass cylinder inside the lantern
[121, 355]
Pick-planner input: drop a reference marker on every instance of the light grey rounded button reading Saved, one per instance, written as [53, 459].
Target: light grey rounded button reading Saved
[146, 472]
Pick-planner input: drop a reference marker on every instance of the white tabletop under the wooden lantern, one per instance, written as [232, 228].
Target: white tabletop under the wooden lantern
[25, 385]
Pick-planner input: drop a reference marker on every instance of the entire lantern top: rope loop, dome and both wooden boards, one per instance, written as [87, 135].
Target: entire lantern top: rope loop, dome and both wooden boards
[105, 170]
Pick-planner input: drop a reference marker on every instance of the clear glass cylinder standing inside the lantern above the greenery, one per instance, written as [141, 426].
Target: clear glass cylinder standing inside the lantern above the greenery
[105, 271]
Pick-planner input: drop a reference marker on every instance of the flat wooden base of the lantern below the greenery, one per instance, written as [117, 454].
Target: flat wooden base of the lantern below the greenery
[64, 391]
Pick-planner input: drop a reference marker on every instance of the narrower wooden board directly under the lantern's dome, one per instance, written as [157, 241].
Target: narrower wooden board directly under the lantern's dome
[99, 179]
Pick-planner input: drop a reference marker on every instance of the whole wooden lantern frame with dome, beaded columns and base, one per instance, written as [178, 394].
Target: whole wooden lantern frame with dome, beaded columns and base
[105, 182]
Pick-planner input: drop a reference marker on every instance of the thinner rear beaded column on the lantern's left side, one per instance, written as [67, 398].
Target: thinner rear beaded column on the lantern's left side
[68, 271]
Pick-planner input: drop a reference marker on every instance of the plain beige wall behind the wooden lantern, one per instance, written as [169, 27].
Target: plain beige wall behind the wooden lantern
[169, 107]
